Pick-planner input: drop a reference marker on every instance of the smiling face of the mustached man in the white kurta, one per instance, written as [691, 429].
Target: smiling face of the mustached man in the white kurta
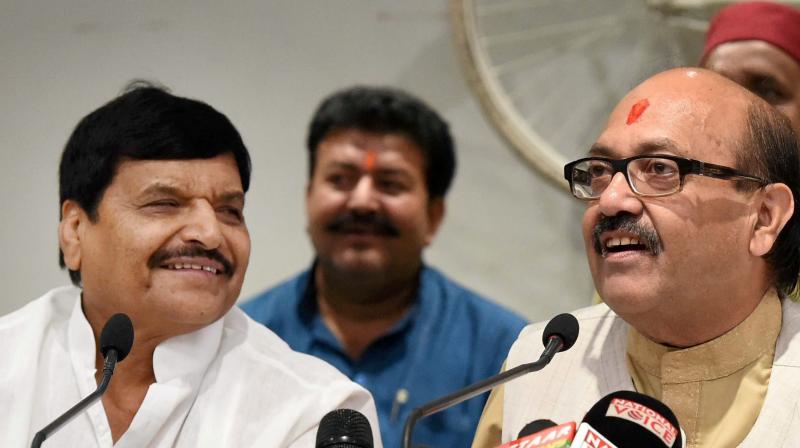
[169, 245]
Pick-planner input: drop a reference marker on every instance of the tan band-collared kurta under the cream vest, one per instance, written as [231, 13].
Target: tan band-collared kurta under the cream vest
[701, 384]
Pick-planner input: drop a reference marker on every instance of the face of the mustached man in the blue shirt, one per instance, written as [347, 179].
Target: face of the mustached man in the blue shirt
[368, 209]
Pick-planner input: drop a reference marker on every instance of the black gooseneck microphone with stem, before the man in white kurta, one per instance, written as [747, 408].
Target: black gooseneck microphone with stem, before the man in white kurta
[116, 340]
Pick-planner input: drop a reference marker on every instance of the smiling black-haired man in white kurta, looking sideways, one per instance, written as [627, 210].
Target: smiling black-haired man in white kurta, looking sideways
[152, 191]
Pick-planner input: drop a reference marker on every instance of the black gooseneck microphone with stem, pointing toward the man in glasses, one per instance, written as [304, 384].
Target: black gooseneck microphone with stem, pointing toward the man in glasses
[559, 335]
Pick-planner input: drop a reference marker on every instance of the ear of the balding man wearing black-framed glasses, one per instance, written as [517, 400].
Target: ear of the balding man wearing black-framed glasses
[775, 210]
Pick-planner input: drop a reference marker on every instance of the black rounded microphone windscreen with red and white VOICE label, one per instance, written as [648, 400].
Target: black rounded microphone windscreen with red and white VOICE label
[631, 419]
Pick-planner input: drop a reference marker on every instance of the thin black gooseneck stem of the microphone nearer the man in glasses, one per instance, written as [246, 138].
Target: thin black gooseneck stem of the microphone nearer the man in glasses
[554, 345]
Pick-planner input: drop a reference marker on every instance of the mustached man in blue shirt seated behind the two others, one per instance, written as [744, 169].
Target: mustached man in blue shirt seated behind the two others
[380, 164]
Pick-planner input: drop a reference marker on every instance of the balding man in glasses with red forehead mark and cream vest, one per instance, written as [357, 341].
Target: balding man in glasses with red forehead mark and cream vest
[691, 259]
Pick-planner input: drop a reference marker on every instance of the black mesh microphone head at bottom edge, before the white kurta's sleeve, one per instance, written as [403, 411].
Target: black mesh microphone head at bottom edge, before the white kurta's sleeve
[344, 428]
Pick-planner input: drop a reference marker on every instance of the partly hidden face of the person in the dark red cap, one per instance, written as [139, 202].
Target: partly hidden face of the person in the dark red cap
[764, 69]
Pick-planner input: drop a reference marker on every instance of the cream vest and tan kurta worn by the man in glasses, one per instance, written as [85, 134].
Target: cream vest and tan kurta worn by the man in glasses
[599, 365]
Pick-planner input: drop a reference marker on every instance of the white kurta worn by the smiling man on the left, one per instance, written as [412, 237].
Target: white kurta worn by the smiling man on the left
[231, 384]
